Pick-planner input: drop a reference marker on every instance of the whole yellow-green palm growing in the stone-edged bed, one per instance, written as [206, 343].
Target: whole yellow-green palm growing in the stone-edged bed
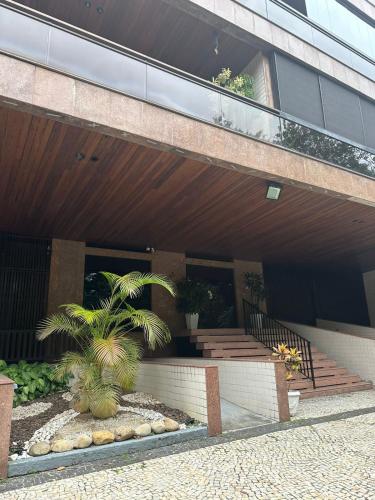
[108, 358]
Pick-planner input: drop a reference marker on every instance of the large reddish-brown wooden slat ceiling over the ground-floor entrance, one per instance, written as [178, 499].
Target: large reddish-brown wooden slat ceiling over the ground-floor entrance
[134, 196]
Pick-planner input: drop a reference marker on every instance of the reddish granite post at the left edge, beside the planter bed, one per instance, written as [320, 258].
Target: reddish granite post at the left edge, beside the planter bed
[6, 405]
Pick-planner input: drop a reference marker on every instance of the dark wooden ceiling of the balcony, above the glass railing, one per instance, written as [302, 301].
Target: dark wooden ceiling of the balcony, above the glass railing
[154, 28]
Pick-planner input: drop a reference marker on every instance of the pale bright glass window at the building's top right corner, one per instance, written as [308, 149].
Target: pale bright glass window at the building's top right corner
[335, 17]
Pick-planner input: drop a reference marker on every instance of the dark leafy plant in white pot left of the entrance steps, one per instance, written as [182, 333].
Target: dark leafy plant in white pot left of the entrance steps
[192, 297]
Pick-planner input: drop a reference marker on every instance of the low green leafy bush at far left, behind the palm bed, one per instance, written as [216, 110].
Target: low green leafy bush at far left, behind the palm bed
[33, 379]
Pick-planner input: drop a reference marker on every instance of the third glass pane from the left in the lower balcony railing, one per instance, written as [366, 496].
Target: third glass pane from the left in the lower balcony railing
[182, 95]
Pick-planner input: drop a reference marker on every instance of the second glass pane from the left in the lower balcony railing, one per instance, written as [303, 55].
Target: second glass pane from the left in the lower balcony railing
[98, 64]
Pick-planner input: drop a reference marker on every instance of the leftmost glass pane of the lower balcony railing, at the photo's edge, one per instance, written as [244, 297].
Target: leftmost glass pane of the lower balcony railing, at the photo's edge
[23, 36]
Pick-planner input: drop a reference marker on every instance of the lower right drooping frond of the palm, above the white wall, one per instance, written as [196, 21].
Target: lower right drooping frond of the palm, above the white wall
[155, 329]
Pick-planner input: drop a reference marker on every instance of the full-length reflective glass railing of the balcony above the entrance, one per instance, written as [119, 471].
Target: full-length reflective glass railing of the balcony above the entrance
[69, 50]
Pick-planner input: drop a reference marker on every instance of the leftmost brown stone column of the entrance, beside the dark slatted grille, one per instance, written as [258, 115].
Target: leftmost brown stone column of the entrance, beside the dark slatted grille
[66, 273]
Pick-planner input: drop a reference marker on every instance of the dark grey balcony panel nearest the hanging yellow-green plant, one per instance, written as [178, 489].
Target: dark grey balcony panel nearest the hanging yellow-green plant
[299, 91]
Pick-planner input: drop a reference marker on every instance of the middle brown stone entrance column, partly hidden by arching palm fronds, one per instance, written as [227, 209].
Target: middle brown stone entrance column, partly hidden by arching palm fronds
[172, 265]
